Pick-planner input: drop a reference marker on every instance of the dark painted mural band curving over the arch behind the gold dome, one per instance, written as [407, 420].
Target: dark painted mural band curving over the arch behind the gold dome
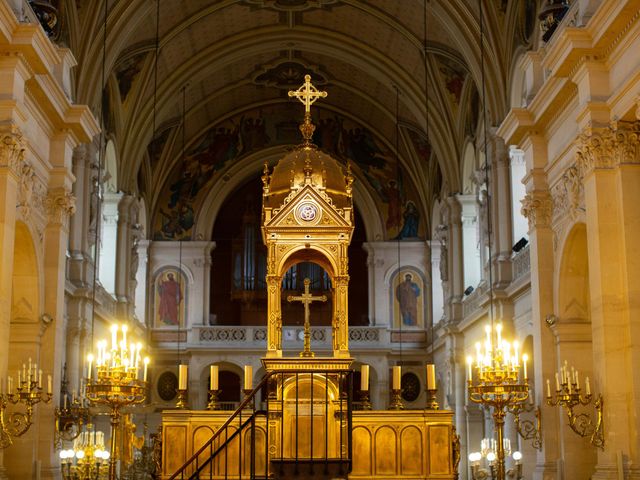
[244, 134]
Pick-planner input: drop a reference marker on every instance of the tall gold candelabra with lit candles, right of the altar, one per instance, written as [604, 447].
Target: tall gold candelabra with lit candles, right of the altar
[497, 384]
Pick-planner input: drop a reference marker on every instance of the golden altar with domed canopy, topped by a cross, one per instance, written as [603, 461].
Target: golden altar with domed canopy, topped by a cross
[300, 420]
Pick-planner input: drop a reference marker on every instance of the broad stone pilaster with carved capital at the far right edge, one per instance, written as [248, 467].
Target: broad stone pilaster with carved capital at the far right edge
[609, 162]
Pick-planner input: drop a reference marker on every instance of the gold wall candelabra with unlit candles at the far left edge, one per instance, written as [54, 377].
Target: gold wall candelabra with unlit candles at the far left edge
[28, 392]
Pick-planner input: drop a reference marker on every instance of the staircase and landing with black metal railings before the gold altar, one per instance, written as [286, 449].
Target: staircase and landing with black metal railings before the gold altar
[301, 431]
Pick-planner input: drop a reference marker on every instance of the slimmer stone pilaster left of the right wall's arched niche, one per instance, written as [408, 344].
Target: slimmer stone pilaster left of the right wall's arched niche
[537, 207]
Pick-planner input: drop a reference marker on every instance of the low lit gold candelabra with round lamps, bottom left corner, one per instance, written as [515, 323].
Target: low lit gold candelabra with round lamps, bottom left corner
[89, 454]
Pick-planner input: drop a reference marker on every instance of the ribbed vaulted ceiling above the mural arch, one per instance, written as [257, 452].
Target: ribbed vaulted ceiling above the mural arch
[234, 56]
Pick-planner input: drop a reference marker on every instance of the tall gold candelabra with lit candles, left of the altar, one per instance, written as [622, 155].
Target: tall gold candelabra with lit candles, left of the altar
[117, 382]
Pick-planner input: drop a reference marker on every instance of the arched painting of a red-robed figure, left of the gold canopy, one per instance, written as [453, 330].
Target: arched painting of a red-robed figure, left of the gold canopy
[170, 289]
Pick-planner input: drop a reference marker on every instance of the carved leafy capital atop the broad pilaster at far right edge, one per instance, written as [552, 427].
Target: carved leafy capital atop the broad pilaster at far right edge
[608, 147]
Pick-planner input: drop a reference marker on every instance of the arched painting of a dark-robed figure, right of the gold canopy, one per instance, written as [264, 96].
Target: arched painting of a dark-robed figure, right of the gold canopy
[408, 299]
